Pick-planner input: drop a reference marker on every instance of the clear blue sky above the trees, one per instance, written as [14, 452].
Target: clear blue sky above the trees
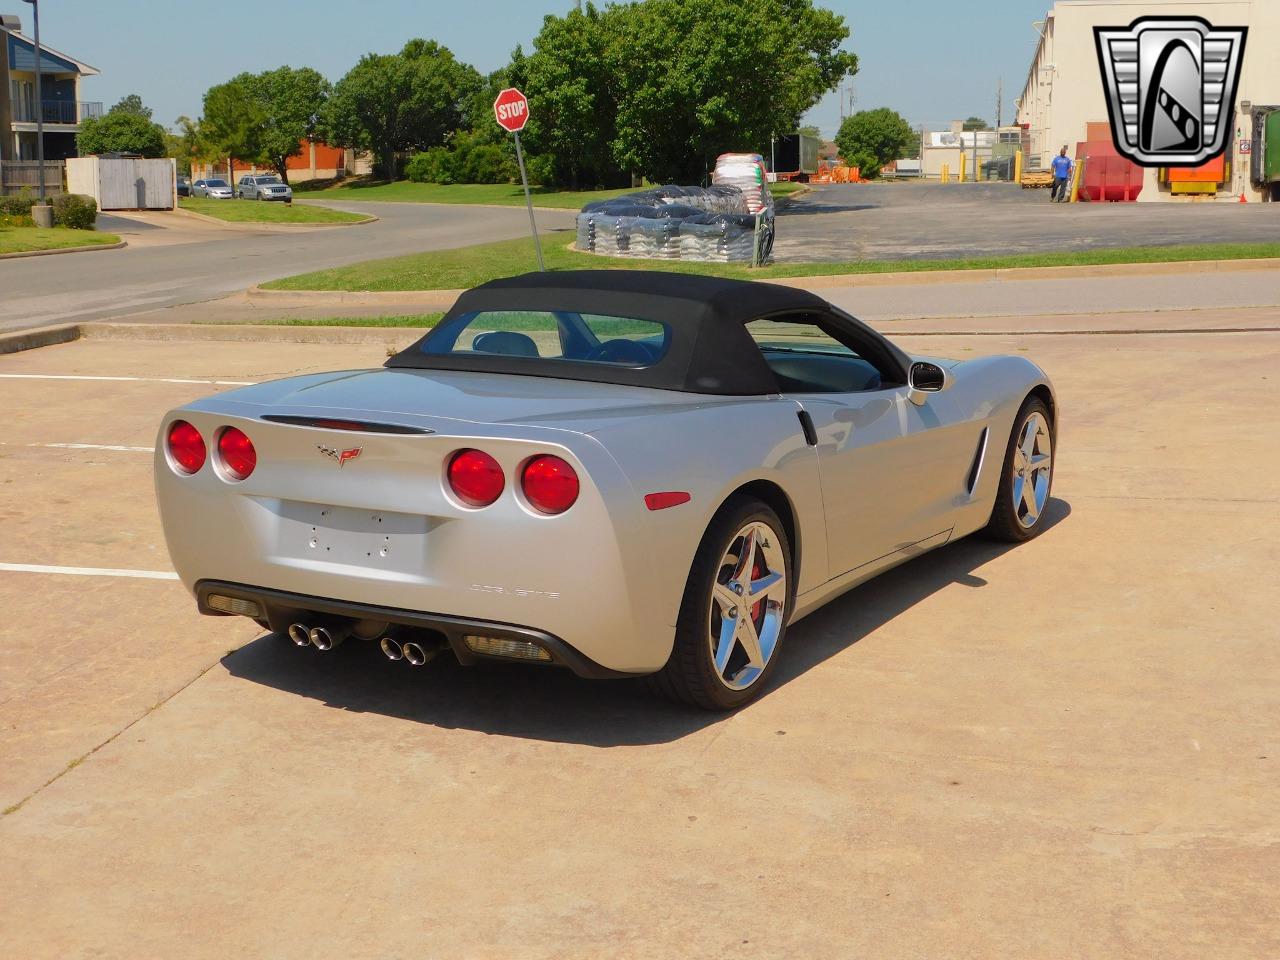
[931, 61]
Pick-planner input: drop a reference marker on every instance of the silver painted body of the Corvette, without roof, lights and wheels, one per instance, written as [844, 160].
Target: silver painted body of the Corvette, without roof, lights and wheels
[886, 481]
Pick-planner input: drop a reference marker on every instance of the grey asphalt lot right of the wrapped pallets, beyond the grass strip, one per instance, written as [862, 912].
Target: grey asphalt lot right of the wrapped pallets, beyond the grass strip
[932, 221]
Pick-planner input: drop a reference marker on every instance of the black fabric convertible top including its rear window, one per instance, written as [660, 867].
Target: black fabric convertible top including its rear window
[637, 328]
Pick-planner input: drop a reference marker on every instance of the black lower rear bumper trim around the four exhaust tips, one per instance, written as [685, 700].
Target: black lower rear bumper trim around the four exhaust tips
[282, 609]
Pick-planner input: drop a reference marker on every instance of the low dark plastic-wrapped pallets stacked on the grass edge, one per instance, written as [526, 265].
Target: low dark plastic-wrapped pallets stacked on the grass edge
[714, 223]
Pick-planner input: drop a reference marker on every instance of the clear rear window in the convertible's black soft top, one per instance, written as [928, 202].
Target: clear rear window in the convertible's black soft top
[552, 336]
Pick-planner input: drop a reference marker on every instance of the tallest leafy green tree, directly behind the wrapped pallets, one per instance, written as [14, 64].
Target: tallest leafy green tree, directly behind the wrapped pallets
[701, 77]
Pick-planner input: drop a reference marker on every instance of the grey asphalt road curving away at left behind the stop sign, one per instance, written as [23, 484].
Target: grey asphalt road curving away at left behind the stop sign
[193, 262]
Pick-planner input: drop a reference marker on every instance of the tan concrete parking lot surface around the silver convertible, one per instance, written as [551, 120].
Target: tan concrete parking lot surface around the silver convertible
[1063, 749]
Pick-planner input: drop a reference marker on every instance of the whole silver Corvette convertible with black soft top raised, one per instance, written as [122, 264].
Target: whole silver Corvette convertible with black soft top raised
[620, 473]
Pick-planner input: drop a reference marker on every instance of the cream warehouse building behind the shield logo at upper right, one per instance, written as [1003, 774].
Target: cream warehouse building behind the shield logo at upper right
[1064, 100]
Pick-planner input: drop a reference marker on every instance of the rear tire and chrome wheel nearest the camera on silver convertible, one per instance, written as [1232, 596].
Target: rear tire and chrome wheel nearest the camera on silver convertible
[734, 614]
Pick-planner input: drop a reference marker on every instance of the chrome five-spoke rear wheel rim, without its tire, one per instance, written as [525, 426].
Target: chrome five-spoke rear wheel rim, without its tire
[748, 606]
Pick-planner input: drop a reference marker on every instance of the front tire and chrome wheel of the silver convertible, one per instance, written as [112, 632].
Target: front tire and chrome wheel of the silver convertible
[1026, 478]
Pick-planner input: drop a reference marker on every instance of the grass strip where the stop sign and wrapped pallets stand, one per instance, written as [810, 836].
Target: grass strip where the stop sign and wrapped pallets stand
[468, 267]
